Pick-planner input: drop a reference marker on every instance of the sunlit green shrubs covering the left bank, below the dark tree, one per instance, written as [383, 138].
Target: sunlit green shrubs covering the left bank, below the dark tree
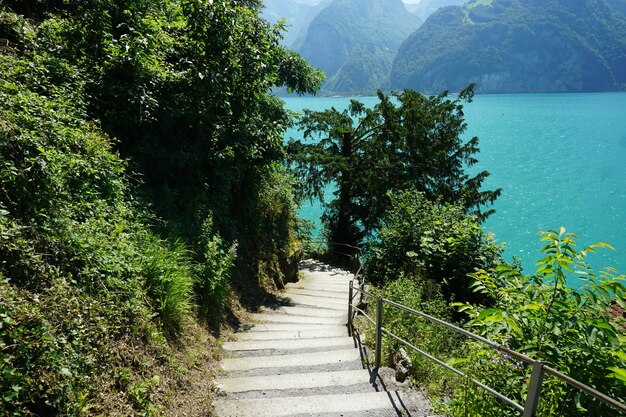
[81, 273]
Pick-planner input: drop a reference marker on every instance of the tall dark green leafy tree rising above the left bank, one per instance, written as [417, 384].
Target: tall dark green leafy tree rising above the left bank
[185, 88]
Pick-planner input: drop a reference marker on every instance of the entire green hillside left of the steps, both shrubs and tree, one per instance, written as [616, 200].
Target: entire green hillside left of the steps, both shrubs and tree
[140, 158]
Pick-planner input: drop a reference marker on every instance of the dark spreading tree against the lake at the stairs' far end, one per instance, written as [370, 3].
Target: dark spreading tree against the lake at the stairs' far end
[415, 144]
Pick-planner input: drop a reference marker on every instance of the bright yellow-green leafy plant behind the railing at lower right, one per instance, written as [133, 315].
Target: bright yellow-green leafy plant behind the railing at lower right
[543, 317]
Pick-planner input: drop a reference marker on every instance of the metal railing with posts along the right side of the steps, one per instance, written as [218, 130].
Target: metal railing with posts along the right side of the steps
[539, 368]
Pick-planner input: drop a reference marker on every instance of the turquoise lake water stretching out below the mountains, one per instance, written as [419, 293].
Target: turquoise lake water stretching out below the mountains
[560, 160]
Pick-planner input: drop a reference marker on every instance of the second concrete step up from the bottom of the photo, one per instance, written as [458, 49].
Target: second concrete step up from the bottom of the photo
[294, 381]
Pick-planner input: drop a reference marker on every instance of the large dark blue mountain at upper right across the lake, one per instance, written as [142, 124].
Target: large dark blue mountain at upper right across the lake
[517, 46]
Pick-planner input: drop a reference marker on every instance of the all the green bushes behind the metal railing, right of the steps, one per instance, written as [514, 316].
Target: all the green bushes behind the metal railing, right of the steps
[428, 252]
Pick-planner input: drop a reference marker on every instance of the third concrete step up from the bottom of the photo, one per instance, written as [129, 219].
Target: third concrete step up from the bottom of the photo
[298, 359]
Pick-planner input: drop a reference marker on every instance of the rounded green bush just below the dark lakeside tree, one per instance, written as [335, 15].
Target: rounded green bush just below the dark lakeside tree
[431, 242]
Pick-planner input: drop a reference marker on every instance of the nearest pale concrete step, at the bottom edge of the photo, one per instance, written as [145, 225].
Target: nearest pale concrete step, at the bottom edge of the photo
[336, 404]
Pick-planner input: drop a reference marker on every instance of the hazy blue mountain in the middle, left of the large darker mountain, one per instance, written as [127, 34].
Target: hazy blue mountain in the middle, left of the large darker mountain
[354, 42]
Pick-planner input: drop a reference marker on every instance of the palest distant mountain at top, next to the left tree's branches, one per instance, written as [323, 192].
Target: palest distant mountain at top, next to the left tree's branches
[297, 13]
